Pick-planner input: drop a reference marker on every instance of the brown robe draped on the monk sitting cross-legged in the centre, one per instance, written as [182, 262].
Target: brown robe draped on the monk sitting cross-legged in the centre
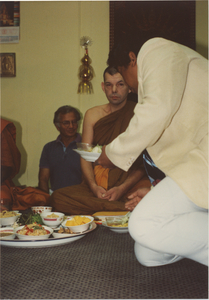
[79, 199]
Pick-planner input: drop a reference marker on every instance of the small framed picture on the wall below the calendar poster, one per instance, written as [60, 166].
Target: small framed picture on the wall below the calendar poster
[7, 65]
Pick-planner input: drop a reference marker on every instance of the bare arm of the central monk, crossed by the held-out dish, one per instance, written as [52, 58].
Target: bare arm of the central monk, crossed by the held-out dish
[90, 119]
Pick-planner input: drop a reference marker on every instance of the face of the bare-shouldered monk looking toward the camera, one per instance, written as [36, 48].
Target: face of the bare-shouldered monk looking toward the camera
[115, 88]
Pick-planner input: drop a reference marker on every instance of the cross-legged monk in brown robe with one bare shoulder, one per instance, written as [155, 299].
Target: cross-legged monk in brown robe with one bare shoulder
[104, 189]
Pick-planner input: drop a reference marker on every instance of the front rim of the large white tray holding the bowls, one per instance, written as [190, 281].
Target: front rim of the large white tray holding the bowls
[47, 242]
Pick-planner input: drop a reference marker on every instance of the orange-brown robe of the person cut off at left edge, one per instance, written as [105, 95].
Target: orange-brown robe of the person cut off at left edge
[15, 198]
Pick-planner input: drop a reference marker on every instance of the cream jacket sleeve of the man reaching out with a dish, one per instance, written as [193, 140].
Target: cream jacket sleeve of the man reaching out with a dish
[162, 75]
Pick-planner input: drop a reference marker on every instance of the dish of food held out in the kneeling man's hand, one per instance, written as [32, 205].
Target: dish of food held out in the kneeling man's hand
[88, 152]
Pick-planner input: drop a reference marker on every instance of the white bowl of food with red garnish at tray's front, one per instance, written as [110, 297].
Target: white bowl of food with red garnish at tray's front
[33, 232]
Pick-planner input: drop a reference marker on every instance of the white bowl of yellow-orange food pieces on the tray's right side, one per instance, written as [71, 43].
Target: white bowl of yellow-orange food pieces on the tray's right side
[78, 223]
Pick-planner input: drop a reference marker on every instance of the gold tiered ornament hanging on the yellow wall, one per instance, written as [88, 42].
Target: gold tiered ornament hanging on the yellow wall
[86, 72]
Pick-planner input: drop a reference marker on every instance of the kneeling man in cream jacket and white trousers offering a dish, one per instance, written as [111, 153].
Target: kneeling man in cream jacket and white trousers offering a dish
[171, 123]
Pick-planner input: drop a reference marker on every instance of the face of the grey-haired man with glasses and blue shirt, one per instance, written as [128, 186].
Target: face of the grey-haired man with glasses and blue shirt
[68, 125]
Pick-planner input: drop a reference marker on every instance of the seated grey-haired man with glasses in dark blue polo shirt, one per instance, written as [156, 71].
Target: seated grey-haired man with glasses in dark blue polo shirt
[59, 164]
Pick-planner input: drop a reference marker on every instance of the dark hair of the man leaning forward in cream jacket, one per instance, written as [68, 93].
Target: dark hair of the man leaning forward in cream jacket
[119, 55]
